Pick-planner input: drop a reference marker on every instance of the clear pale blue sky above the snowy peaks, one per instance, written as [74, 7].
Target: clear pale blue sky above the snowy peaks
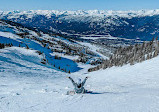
[78, 4]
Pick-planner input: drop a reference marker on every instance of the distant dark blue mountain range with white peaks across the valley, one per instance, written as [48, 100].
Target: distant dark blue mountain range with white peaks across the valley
[143, 24]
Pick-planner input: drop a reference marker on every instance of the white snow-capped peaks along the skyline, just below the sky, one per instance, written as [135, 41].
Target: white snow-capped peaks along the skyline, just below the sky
[102, 13]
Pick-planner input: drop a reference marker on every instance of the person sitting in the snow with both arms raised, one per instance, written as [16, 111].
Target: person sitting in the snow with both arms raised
[79, 86]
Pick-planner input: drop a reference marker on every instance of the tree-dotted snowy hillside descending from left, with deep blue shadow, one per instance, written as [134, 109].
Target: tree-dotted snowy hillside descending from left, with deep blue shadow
[58, 52]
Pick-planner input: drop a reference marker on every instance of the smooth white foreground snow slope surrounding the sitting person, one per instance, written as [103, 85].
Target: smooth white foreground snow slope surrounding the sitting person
[28, 86]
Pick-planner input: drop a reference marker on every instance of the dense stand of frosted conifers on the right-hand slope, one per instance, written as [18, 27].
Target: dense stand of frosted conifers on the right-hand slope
[131, 55]
